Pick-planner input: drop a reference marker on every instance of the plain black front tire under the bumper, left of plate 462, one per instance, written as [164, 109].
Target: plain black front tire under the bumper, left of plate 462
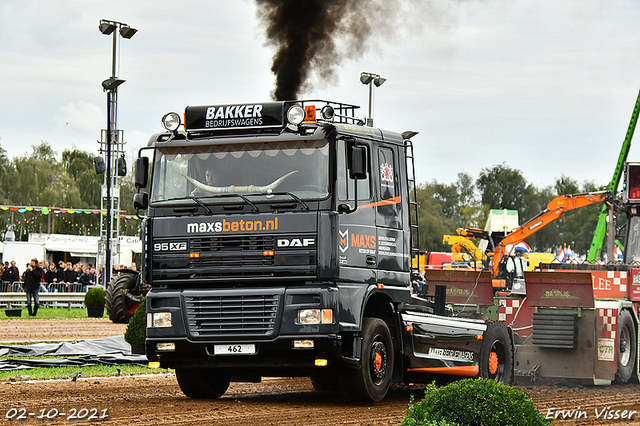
[203, 383]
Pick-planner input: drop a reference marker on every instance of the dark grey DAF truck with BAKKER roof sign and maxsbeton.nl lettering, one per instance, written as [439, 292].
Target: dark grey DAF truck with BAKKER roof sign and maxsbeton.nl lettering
[278, 240]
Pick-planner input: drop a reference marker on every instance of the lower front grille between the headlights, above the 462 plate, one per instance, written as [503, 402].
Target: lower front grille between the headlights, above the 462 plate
[232, 315]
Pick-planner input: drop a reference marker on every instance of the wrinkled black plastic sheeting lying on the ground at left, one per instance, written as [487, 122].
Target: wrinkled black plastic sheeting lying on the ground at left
[109, 351]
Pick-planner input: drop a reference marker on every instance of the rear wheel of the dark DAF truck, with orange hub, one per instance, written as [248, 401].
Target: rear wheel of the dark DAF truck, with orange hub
[496, 357]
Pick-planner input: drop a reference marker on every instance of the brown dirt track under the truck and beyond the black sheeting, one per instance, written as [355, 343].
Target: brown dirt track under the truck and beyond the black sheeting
[283, 401]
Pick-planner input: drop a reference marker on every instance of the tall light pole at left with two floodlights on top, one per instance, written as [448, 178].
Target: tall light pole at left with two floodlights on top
[110, 86]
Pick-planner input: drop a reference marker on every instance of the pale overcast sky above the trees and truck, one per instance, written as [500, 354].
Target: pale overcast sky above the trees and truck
[546, 87]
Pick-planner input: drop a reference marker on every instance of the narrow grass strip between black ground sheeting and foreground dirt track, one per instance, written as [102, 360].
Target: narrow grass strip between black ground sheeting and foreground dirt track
[48, 373]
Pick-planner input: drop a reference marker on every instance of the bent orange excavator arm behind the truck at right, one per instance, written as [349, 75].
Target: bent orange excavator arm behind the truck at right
[556, 208]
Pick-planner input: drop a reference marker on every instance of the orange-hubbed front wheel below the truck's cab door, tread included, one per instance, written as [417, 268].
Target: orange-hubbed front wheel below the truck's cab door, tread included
[371, 381]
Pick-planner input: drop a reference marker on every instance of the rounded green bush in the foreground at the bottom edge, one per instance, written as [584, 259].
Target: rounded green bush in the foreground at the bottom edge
[471, 402]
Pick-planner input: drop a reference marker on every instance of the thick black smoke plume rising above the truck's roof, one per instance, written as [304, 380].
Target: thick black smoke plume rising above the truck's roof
[306, 34]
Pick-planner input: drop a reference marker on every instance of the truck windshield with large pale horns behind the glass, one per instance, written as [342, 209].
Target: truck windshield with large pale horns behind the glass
[297, 167]
